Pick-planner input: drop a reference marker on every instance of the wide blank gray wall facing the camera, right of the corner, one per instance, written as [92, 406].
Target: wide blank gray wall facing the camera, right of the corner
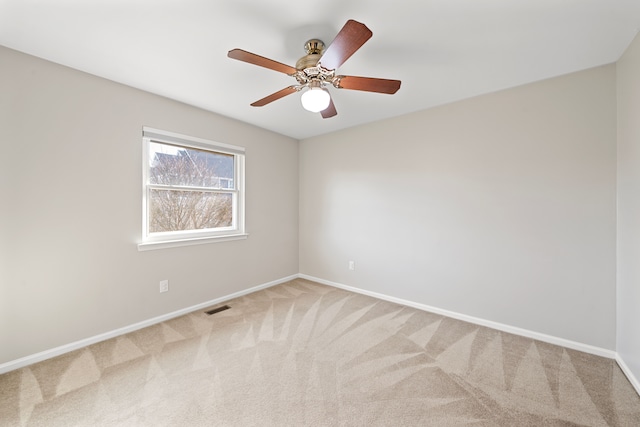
[501, 207]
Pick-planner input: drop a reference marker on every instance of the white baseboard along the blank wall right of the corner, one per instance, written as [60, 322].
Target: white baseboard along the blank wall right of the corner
[610, 354]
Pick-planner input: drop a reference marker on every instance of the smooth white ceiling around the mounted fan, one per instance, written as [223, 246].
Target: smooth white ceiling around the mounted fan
[442, 50]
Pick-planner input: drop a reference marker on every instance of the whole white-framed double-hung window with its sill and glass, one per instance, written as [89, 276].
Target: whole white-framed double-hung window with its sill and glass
[193, 190]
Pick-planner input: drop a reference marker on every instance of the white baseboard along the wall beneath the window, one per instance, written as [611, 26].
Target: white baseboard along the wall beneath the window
[48, 354]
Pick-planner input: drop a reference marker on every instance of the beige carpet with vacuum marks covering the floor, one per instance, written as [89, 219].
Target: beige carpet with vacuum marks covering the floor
[301, 353]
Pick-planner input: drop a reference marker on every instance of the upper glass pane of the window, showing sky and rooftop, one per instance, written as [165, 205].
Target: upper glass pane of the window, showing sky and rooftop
[172, 165]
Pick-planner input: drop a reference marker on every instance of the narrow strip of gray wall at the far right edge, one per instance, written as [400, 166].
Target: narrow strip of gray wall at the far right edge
[628, 69]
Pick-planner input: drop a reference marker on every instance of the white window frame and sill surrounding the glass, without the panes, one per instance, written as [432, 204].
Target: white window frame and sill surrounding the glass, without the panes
[192, 237]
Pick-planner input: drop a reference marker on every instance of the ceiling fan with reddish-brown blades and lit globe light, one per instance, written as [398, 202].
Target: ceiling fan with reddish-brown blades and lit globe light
[317, 69]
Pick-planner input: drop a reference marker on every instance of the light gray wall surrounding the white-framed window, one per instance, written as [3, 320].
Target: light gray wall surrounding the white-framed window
[70, 182]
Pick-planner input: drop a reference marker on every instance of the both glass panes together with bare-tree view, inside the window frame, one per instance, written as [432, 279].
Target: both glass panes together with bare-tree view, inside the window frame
[190, 189]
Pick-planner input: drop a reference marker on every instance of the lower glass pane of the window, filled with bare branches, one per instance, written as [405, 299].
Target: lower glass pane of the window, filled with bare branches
[171, 210]
